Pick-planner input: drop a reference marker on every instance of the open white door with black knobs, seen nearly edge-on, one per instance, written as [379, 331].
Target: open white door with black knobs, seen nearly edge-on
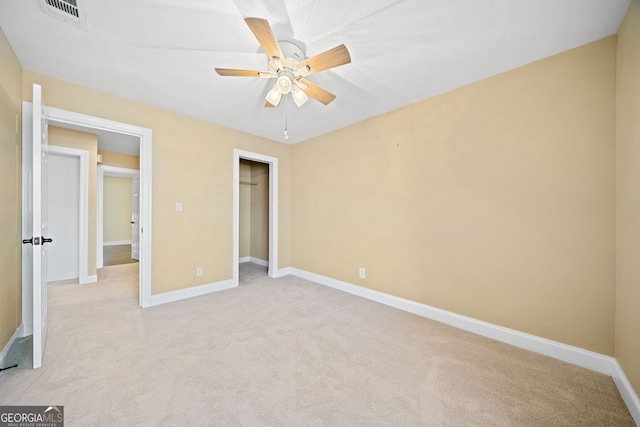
[38, 222]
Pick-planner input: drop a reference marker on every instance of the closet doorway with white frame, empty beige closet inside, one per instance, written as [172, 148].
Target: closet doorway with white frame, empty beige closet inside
[260, 177]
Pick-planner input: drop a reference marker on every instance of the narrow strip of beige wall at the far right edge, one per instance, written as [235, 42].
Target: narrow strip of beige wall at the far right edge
[628, 197]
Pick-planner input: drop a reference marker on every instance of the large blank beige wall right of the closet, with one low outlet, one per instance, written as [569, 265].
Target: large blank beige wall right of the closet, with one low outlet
[494, 201]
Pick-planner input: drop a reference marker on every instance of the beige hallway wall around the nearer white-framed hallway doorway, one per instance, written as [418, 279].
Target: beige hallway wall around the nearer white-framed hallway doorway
[87, 142]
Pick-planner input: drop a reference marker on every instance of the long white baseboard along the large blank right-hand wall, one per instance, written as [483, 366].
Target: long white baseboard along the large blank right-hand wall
[575, 355]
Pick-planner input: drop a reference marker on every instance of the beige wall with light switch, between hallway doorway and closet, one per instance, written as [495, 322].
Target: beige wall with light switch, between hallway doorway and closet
[192, 163]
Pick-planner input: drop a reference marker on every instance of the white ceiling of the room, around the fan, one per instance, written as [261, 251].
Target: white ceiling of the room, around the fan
[162, 52]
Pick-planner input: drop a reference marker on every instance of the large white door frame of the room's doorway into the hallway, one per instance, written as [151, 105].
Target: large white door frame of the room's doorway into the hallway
[59, 116]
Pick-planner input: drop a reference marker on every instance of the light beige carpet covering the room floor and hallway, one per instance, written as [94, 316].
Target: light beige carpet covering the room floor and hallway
[288, 352]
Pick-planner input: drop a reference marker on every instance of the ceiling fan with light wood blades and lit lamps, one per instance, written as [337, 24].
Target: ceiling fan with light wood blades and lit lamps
[289, 72]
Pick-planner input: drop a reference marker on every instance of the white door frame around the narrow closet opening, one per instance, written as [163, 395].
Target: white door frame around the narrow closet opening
[273, 209]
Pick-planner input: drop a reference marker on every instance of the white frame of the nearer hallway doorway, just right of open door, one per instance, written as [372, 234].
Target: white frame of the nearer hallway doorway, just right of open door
[83, 223]
